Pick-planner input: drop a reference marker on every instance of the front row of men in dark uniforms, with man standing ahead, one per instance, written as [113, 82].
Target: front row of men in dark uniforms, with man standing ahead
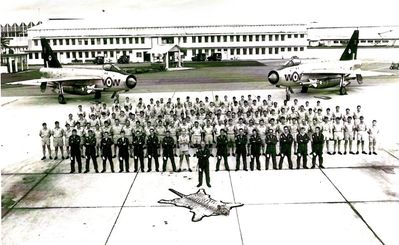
[168, 143]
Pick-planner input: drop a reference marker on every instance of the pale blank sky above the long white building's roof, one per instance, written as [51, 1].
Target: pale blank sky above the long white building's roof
[203, 12]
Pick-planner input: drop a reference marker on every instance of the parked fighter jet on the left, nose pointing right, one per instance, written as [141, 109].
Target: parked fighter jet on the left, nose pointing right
[81, 81]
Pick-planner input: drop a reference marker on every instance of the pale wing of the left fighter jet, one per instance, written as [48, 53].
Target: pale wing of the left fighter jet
[66, 81]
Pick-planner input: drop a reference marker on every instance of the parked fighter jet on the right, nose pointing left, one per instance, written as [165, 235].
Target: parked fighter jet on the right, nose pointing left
[320, 74]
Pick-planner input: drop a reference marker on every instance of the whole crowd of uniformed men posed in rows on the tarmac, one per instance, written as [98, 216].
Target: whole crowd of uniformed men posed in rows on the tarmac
[240, 127]
